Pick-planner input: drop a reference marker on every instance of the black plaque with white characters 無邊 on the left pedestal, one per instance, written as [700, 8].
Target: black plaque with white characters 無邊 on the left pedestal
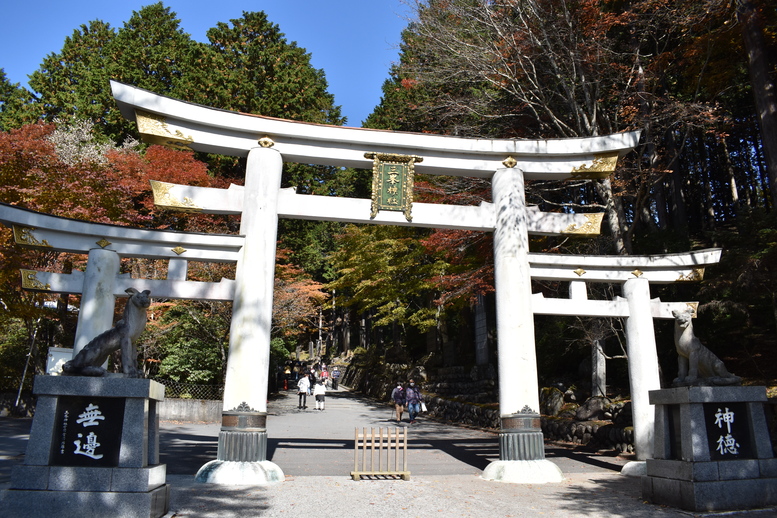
[88, 431]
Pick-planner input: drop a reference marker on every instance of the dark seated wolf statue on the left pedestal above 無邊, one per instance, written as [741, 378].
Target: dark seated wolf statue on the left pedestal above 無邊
[89, 360]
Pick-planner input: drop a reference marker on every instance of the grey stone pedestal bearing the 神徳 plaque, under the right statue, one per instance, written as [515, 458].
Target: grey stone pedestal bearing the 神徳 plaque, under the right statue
[712, 450]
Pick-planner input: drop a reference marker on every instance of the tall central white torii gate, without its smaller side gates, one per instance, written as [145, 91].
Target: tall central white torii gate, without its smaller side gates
[267, 143]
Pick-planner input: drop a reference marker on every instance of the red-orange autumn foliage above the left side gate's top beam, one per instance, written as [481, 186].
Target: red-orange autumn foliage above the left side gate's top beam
[116, 190]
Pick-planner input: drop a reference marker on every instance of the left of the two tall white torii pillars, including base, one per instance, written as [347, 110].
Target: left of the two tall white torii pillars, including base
[242, 449]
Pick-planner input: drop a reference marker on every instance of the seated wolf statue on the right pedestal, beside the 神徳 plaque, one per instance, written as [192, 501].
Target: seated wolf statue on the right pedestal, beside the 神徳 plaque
[697, 365]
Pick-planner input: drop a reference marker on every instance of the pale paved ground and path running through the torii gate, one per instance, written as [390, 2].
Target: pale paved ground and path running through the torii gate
[315, 451]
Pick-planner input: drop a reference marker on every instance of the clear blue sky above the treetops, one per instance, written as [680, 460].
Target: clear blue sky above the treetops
[353, 41]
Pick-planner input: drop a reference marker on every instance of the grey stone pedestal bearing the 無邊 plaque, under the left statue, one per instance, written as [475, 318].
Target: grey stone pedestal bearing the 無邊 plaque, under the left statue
[93, 451]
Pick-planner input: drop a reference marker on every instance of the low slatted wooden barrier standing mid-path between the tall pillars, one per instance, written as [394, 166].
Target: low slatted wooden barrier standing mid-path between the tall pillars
[391, 445]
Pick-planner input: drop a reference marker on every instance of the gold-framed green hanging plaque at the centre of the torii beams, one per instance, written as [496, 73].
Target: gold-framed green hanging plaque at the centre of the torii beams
[392, 183]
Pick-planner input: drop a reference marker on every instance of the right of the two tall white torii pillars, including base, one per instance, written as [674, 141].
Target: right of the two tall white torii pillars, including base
[521, 447]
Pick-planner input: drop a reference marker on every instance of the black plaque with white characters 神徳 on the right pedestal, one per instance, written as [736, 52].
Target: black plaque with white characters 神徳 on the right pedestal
[728, 431]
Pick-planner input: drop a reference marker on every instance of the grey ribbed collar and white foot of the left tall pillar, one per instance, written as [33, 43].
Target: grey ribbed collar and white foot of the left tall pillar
[242, 453]
